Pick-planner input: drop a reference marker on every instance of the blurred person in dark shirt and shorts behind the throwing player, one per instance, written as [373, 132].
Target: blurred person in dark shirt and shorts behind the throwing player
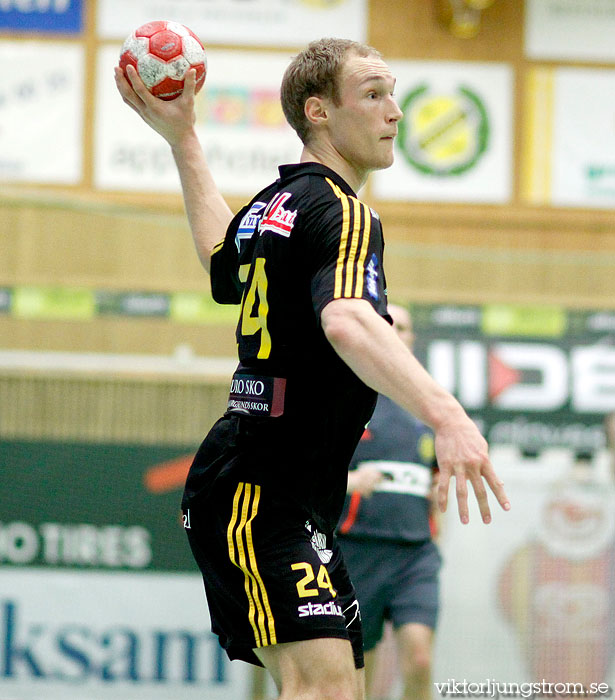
[385, 535]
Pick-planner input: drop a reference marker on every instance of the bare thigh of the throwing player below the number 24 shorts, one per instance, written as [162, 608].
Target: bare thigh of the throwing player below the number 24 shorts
[314, 669]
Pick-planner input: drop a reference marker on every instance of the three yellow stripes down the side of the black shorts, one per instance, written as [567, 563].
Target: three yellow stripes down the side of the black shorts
[259, 610]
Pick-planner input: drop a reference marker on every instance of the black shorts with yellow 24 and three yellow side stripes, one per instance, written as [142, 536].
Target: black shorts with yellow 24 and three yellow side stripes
[269, 578]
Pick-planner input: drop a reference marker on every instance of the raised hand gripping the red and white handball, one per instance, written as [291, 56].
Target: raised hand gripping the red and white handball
[172, 119]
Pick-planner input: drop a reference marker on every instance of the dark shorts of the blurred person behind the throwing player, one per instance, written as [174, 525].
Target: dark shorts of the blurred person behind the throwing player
[394, 581]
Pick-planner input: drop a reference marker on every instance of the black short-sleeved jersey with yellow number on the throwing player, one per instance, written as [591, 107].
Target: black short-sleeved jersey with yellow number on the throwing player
[300, 410]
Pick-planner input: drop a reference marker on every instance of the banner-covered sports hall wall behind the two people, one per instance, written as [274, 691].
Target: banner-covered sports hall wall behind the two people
[500, 227]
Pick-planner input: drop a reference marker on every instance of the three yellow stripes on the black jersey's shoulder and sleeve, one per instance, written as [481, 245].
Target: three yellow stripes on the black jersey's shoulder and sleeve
[347, 268]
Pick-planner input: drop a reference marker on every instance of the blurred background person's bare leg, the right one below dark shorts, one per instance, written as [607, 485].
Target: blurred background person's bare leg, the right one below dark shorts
[415, 650]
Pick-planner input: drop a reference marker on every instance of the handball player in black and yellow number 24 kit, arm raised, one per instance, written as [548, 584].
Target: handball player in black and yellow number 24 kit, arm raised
[315, 344]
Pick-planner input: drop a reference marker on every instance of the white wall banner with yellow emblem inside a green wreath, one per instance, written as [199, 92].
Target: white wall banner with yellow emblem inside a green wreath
[455, 139]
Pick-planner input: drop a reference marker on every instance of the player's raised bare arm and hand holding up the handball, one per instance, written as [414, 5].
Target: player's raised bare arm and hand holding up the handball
[207, 211]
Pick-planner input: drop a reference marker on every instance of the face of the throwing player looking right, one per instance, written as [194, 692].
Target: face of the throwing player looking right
[364, 125]
